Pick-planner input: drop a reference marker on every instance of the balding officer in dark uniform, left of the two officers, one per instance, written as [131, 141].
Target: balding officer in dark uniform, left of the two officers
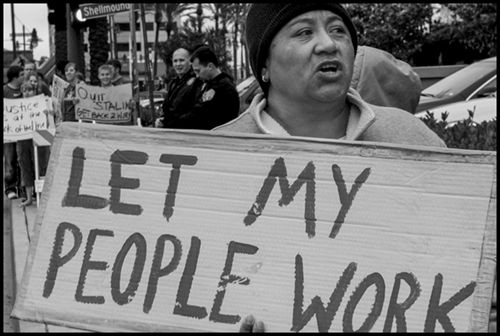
[182, 91]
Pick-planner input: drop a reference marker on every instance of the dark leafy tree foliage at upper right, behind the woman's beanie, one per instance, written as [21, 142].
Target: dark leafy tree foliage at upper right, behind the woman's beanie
[407, 31]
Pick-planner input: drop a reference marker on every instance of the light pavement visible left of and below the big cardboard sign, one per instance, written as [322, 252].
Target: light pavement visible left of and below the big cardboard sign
[23, 221]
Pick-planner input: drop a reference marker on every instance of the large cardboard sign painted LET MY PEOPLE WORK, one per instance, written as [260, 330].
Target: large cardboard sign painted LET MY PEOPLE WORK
[145, 229]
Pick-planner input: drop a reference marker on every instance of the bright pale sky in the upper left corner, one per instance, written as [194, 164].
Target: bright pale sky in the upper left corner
[31, 16]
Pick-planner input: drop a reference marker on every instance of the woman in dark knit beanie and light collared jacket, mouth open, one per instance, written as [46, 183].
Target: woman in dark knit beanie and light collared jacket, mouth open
[303, 57]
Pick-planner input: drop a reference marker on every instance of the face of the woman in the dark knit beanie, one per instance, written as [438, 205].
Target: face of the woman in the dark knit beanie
[311, 58]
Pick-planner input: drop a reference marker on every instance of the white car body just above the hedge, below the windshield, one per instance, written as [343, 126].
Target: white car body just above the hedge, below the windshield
[484, 109]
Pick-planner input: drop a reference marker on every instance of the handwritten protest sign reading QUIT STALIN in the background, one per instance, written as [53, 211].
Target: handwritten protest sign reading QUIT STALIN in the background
[103, 105]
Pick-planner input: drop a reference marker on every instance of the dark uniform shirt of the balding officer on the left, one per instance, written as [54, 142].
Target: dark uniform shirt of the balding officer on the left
[182, 94]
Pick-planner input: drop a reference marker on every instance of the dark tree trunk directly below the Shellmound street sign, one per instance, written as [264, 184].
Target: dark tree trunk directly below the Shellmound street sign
[98, 46]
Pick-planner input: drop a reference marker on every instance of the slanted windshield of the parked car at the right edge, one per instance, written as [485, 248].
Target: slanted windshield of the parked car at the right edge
[456, 82]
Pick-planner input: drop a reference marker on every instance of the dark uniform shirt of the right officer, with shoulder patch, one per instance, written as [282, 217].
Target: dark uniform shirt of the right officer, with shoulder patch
[217, 104]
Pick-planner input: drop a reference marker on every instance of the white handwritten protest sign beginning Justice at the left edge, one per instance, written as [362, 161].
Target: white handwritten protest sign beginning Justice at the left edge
[22, 116]
